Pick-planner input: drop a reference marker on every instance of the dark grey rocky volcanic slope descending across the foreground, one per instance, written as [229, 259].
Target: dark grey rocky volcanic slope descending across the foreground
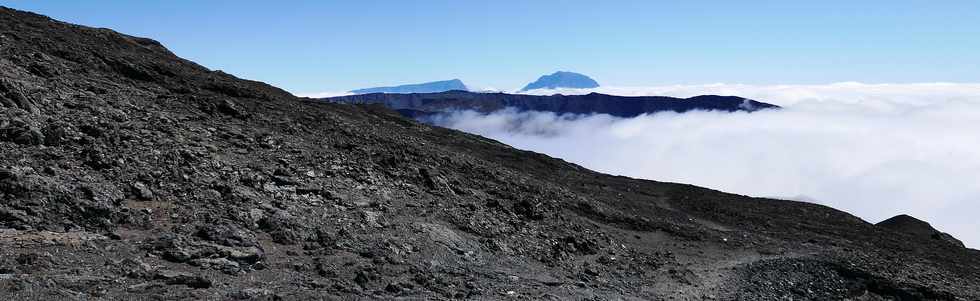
[129, 173]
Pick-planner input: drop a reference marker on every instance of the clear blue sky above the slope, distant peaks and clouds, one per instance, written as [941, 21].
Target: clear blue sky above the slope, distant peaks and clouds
[310, 46]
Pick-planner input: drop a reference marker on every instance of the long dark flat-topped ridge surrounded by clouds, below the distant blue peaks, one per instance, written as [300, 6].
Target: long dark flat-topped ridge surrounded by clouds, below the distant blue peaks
[424, 104]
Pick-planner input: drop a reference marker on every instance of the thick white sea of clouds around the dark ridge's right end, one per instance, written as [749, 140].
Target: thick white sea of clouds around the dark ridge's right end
[873, 150]
